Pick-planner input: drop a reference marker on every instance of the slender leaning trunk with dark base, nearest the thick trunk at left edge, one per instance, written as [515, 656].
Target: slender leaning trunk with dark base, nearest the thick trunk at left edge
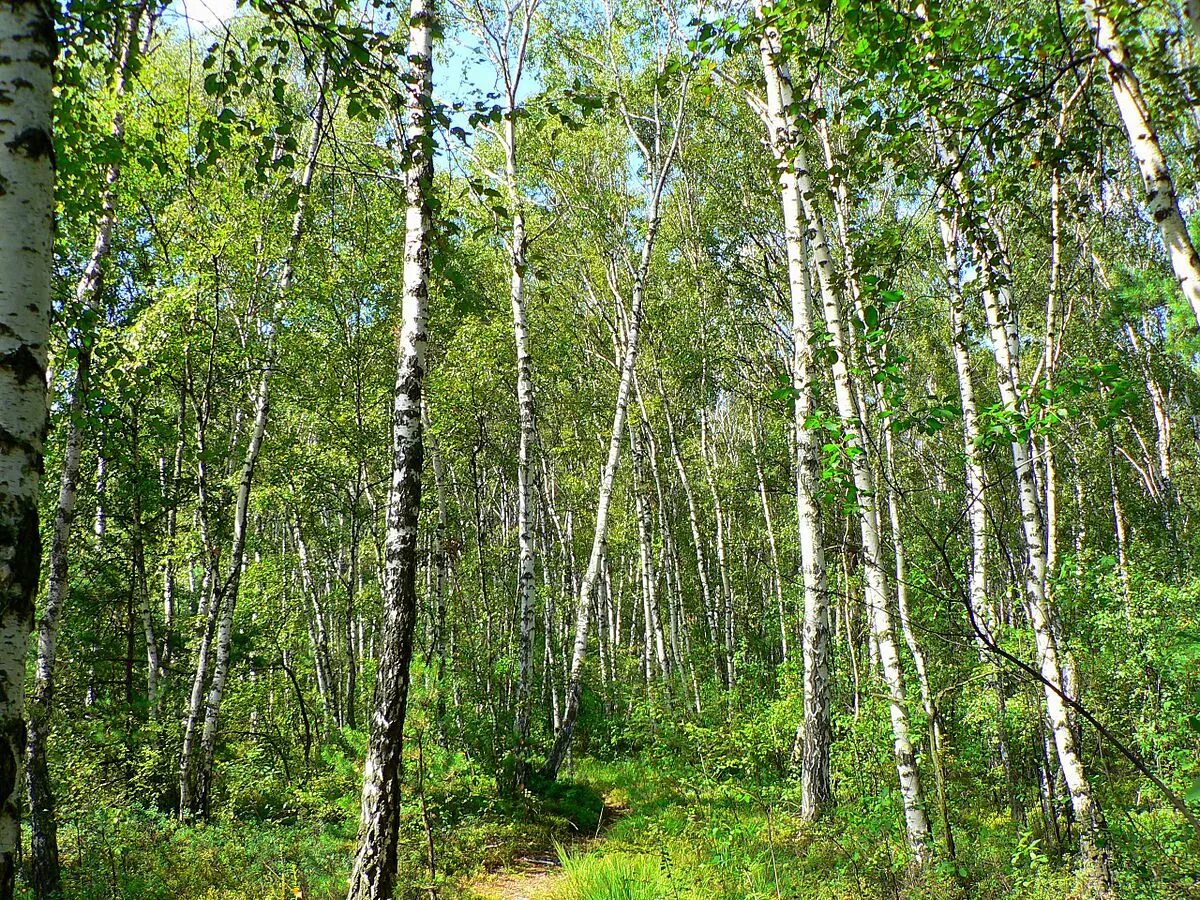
[45, 873]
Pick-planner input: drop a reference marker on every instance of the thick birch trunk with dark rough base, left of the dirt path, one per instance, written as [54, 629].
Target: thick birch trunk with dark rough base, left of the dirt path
[374, 877]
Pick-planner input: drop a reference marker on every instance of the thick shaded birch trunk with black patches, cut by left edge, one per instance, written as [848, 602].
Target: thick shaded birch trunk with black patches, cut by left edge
[27, 171]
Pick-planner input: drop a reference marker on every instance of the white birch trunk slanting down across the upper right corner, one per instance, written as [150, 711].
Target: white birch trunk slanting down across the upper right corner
[1162, 203]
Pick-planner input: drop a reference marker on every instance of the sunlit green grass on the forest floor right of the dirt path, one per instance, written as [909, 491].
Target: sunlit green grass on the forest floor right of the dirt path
[689, 838]
